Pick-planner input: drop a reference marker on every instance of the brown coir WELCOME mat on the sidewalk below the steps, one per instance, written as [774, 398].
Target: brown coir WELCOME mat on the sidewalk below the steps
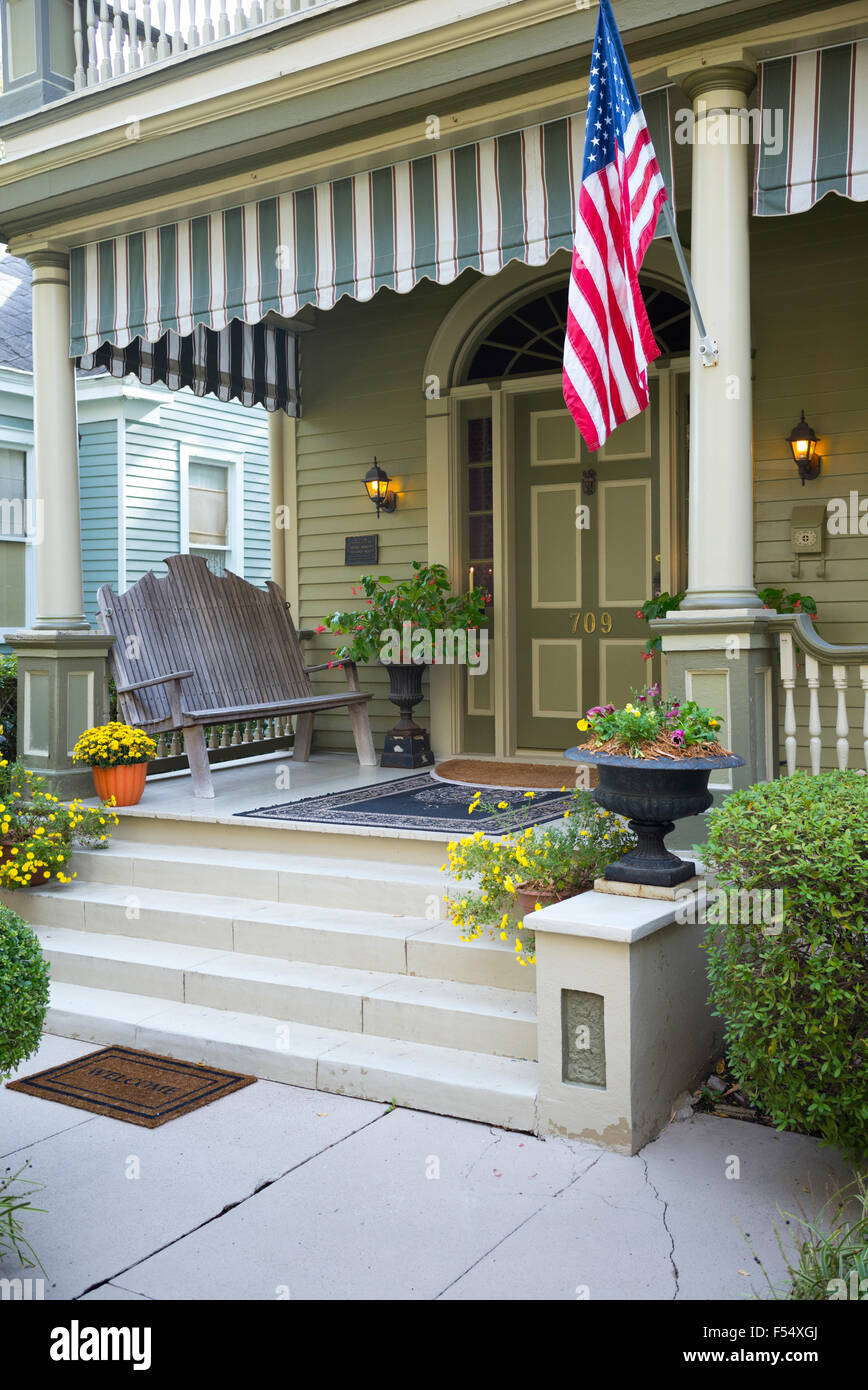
[137, 1088]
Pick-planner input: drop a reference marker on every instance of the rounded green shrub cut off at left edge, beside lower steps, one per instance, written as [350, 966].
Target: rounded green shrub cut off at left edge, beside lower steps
[24, 992]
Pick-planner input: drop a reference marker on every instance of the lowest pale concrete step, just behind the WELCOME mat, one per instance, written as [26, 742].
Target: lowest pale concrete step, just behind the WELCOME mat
[446, 1081]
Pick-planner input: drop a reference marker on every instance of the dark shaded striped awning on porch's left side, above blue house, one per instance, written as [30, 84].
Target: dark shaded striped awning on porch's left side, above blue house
[252, 363]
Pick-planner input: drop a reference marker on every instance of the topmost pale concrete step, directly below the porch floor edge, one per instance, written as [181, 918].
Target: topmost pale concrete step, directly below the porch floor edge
[271, 876]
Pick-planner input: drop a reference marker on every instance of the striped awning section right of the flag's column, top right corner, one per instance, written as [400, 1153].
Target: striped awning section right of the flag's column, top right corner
[814, 109]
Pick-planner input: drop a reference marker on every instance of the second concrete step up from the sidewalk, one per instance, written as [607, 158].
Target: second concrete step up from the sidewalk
[476, 1018]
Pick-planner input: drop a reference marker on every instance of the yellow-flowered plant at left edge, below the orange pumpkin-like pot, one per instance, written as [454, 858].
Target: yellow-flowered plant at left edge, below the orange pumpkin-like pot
[38, 832]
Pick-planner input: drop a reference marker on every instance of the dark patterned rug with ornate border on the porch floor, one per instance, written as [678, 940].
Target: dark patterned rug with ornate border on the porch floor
[422, 804]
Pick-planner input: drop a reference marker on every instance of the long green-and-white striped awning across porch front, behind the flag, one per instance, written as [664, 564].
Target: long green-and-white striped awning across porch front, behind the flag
[482, 205]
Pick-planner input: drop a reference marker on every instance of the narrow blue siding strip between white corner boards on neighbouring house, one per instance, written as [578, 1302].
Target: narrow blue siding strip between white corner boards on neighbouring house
[99, 507]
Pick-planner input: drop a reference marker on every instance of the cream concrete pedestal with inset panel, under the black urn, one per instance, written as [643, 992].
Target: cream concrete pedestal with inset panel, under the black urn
[622, 1017]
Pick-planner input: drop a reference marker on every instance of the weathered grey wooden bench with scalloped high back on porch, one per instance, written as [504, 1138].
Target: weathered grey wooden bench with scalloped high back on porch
[195, 648]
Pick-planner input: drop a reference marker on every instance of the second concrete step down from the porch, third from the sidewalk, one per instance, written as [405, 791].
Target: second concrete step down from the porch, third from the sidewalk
[321, 936]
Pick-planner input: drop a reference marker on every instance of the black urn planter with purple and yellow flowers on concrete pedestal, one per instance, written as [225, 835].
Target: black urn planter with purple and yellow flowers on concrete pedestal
[654, 760]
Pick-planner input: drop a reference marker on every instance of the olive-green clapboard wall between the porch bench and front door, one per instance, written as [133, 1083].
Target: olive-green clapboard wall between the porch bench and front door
[364, 395]
